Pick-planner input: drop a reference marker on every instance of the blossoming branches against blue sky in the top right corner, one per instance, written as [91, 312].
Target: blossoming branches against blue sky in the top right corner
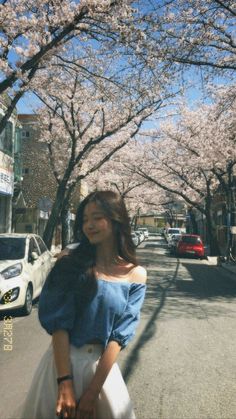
[198, 33]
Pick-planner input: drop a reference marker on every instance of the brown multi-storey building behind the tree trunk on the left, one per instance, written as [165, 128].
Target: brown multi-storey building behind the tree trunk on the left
[39, 185]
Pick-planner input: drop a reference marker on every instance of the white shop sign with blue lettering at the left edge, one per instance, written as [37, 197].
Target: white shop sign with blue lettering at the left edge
[6, 174]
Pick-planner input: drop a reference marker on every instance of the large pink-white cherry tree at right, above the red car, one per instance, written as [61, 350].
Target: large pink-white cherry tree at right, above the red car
[191, 157]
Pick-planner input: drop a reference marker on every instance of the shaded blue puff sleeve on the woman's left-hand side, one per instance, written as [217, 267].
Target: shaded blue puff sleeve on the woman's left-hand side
[57, 306]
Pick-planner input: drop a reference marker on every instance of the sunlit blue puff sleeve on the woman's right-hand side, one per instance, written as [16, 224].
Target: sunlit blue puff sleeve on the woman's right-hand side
[125, 326]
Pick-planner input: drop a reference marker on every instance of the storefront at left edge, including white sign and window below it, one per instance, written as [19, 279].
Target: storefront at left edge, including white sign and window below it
[6, 192]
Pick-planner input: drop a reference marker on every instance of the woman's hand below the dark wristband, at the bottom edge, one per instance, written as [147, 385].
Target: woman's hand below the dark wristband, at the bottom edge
[66, 402]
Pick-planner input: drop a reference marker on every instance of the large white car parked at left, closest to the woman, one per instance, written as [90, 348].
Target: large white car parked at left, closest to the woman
[25, 263]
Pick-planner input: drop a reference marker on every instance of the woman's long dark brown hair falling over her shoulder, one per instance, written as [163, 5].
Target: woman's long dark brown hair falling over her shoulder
[83, 259]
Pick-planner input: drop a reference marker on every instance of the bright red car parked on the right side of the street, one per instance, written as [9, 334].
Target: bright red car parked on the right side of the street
[191, 245]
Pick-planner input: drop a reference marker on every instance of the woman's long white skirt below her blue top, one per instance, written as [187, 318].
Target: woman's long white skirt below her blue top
[113, 402]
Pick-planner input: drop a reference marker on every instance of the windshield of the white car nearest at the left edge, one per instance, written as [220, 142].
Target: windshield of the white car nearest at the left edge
[12, 248]
